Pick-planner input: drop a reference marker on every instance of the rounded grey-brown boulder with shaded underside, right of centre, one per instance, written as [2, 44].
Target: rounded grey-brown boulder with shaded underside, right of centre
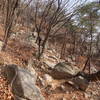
[64, 70]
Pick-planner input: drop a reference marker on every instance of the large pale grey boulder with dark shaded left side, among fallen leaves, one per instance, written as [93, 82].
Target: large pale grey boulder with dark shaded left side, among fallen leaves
[22, 83]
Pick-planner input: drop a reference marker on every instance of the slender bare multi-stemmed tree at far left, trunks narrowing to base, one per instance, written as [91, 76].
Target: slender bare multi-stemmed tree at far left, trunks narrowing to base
[11, 6]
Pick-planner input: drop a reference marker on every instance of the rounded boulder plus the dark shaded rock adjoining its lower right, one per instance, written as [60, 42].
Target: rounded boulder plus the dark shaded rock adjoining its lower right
[68, 72]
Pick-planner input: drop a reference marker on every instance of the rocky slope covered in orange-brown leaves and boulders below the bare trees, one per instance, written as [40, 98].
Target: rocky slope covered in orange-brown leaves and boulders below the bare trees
[23, 77]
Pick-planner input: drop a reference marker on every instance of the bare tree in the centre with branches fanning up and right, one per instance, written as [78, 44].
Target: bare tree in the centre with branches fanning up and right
[53, 16]
